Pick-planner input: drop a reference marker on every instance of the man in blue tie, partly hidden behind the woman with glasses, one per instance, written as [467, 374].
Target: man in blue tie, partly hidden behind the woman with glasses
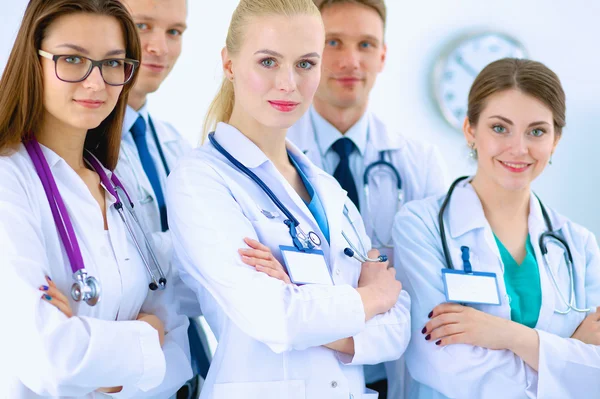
[150, 149]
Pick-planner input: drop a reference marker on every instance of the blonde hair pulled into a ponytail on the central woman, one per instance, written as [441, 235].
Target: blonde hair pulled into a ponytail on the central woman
[222, 105]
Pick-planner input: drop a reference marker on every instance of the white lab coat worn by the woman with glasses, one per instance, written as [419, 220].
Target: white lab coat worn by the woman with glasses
[101, 346]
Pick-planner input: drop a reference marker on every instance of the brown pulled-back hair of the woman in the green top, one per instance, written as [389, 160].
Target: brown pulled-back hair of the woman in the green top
[530, 77]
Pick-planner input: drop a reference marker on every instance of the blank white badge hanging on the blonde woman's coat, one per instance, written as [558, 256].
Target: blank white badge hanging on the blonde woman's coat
[306, 267]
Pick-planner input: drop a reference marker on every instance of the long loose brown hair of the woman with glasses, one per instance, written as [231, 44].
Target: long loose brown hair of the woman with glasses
[21, 88]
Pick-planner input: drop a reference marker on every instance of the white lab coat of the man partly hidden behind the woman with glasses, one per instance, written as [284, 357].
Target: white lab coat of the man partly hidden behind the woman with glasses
[131, 172]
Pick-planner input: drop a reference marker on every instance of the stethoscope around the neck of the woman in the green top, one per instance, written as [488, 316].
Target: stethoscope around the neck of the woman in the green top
[550, 234]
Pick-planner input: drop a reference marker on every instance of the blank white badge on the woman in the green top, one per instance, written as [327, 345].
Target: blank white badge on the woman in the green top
[475, 288]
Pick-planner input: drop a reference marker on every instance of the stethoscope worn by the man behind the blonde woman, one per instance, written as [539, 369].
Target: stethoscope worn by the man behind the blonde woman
[381, 166]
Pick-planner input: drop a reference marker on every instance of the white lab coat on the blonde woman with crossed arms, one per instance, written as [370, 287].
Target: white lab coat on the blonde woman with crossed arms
[271, 334]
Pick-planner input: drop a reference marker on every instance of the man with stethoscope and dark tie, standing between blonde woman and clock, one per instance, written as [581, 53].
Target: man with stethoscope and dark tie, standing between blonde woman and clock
[342, 136]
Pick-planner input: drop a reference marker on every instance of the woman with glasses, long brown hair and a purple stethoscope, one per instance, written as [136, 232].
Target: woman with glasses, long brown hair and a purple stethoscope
[62, 100]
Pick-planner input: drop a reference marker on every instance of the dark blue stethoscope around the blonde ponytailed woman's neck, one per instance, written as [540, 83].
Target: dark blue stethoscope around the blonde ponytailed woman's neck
[301, 240]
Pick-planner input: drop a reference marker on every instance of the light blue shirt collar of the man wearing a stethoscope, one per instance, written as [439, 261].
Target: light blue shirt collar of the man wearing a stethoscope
[327, 134]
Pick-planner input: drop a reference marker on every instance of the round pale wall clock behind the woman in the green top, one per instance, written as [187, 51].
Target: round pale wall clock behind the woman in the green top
[457, 69]
